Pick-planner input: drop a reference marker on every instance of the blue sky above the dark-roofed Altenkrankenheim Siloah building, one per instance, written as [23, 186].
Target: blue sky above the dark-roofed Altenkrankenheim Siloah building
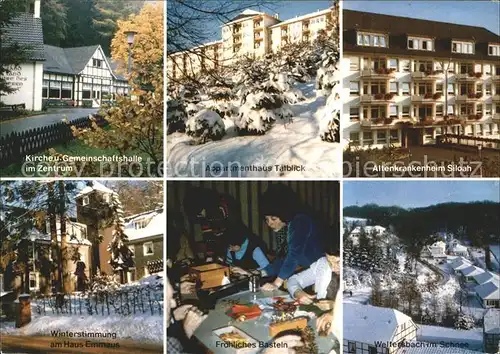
[474, 13]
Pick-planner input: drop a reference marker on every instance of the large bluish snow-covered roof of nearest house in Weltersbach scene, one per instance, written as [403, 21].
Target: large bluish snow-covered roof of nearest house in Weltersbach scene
[370, 324]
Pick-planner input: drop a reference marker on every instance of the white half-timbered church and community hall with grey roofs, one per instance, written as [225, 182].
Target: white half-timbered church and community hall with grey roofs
[54, 76]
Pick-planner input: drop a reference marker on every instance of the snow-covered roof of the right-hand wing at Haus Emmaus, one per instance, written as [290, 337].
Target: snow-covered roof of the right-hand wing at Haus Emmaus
[155, 225]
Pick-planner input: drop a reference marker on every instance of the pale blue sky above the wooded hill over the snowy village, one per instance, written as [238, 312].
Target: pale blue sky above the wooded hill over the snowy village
[412, 194]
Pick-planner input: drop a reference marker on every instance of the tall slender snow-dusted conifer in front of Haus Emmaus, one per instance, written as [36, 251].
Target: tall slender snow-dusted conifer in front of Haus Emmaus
[121, 257]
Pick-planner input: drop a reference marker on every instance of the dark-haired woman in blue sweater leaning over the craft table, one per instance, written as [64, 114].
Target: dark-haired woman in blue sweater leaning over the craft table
[281, 208]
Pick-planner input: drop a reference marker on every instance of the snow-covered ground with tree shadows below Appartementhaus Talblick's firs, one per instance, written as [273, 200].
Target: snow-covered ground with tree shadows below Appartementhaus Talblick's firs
[297, 143]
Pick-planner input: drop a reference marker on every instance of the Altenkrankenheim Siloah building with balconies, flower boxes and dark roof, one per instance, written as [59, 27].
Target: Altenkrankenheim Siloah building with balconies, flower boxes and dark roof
[406, 81]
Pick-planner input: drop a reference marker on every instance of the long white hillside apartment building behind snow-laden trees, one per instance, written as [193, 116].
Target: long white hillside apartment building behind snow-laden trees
[251, 34]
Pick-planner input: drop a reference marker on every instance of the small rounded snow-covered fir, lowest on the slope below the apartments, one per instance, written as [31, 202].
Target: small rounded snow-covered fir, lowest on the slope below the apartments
[204, 126]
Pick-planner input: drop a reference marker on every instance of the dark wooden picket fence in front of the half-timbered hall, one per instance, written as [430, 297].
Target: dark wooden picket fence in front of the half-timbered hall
[15, 146]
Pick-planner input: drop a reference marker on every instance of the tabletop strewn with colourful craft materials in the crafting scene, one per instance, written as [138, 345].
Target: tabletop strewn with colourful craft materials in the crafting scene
[247, 321]
